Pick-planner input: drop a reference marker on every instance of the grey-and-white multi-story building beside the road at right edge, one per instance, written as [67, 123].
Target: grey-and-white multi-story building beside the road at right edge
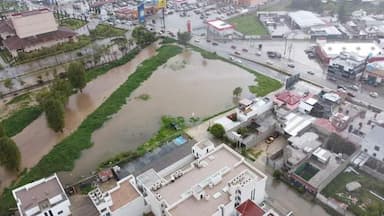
[346, 66]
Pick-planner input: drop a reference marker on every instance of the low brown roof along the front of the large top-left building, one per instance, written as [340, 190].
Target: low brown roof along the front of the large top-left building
[15, 43]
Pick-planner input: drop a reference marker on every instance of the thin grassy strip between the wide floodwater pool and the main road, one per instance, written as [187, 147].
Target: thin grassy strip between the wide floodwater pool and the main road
[264, 84]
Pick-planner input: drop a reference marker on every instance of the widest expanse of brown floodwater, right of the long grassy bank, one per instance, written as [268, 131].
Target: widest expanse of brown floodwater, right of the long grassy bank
[186, 85]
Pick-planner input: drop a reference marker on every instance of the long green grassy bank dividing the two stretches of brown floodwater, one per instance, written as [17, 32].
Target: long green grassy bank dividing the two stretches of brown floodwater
[68, 150]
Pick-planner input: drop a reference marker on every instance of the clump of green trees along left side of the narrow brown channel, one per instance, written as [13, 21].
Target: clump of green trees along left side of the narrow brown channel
[53, 100]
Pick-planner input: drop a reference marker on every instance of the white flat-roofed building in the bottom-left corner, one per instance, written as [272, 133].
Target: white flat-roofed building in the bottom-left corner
[45, 197]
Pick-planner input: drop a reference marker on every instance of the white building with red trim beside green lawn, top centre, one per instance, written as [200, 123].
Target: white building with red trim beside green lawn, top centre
[219, 30]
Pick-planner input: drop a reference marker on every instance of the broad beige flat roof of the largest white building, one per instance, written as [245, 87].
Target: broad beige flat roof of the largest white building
[223, 162]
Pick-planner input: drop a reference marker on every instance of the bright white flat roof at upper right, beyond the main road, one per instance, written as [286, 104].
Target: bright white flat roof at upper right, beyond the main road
[305, 19]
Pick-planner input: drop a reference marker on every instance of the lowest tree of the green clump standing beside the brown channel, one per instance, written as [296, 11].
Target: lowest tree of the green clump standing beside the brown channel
[54, 112]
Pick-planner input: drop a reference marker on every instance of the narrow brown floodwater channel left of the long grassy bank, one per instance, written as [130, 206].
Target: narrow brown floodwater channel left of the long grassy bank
[37, 139]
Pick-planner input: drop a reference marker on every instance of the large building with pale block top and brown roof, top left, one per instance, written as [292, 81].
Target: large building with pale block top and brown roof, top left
[32, 30]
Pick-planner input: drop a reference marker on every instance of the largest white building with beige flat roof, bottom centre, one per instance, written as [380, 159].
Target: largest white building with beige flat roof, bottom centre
[214, 184]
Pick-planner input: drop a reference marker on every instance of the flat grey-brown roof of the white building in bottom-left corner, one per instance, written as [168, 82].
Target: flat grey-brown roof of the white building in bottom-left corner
[44, 191]
